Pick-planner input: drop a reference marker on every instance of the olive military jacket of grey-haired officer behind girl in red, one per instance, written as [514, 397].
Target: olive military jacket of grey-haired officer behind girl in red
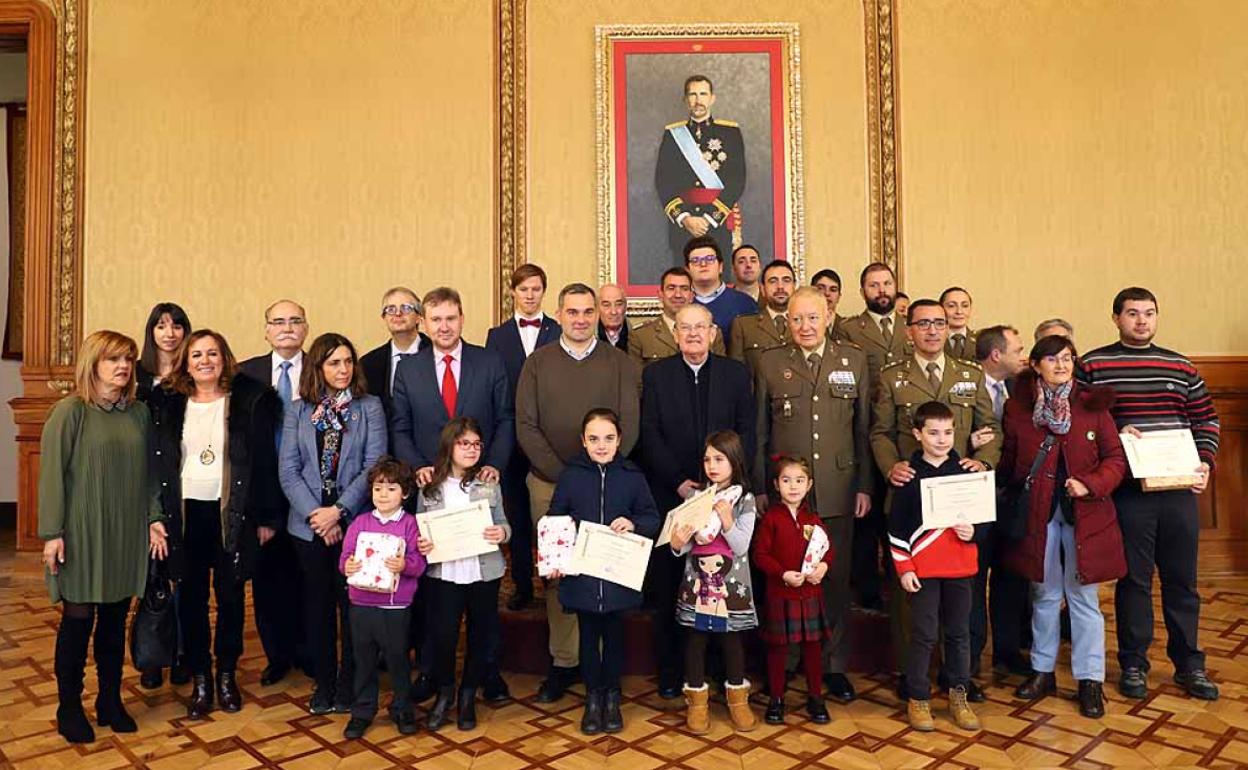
[823, 417]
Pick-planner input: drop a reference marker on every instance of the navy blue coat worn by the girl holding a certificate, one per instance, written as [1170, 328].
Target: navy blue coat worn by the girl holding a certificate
[590, 492]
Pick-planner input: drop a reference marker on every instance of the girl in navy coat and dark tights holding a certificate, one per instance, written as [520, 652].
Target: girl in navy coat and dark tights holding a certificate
[602, 487]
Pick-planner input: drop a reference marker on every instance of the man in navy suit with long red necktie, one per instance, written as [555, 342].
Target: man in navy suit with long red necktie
[446, 380]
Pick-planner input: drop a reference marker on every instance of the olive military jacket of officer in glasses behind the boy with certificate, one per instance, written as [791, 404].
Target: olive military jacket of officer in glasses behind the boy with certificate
[904, 387]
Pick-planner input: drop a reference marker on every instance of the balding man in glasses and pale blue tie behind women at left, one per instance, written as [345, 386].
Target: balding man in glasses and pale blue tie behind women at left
[276, 588]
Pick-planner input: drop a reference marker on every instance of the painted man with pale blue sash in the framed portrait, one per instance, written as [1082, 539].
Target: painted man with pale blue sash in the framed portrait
[701, 173]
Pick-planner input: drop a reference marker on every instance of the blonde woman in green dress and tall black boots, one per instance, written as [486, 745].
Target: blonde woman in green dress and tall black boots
[95, 504]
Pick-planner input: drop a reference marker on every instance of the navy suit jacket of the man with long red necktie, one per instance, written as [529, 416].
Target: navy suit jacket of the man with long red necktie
[484, 395]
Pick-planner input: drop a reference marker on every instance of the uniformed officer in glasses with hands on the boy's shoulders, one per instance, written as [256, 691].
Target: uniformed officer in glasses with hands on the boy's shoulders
[904, 386]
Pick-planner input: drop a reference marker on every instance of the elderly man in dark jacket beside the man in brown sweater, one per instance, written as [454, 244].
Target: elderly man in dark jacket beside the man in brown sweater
[685, 400]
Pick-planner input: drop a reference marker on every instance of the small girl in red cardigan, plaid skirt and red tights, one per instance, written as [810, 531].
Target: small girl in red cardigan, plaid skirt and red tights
[796, 601]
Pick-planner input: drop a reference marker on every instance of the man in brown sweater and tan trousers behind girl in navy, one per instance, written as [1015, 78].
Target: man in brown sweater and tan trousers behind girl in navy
[560, 384]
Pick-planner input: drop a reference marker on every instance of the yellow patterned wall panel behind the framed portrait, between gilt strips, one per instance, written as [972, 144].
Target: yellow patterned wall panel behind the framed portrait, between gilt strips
[563, 205]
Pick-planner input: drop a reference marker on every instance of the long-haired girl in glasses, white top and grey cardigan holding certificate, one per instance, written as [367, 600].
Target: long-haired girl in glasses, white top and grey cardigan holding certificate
[462, 587]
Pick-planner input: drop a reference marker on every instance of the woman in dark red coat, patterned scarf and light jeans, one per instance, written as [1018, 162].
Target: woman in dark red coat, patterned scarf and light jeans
[1071, 514]
